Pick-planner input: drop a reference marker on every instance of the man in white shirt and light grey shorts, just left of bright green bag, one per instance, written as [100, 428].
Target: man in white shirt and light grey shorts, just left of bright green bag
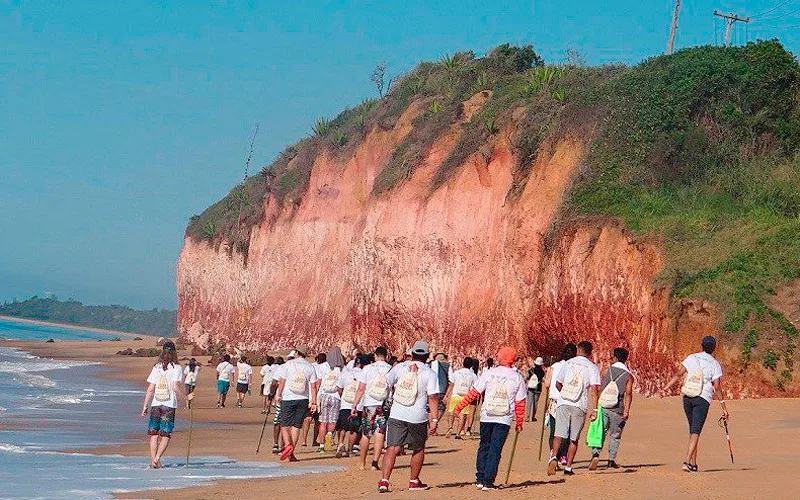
[578, 383]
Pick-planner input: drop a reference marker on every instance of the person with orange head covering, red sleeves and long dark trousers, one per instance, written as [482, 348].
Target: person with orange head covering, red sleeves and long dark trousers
[505, 393]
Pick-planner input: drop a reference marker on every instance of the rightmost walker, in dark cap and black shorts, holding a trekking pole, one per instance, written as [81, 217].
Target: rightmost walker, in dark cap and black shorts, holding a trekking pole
[702, 376]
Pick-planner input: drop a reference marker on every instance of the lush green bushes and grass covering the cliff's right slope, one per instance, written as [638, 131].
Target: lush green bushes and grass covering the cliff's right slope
[700, 149]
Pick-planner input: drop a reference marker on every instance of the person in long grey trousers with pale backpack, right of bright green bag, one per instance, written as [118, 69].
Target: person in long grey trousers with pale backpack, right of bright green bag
[616, 403]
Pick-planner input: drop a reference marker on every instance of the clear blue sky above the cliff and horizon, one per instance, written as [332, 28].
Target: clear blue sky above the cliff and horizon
[120, 120]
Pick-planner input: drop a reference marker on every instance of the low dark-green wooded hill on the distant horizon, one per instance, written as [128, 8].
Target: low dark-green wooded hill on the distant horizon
[113, 317]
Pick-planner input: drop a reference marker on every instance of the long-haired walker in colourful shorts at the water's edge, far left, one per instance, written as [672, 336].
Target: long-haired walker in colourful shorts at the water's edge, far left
[161, 399]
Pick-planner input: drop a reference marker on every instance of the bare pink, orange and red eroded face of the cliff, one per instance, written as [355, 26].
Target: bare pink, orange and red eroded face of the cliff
[466, 266]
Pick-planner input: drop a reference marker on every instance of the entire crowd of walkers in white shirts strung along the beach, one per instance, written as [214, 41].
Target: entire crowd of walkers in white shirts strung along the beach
[396, 404]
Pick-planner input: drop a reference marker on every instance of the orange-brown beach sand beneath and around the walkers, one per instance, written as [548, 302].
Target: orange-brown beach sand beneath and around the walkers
[765, 432]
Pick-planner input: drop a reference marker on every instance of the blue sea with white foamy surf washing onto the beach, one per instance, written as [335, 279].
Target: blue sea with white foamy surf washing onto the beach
[51, 410]
